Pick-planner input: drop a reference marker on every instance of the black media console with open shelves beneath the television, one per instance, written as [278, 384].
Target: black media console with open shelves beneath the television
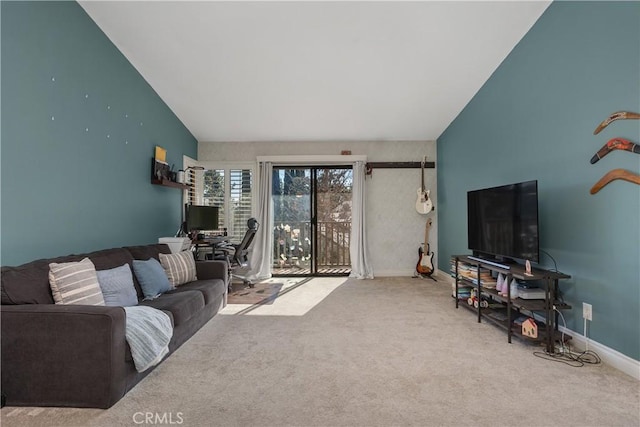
[502, 310]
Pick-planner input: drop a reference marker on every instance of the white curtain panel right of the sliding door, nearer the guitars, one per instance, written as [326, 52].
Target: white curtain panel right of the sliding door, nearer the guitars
[360, 264]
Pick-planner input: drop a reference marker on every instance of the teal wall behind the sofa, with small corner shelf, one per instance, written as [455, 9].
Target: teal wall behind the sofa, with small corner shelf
[79, 127]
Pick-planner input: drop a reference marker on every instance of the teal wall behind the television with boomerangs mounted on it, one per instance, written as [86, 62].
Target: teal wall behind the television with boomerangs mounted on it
[534, 119]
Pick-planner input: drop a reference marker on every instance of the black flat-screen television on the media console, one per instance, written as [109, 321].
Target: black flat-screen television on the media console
[503, 222]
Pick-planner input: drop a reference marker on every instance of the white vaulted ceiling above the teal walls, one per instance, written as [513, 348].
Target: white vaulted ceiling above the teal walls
[294, 71]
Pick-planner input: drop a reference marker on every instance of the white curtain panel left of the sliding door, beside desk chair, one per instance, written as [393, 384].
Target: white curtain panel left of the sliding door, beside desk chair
[260, 258]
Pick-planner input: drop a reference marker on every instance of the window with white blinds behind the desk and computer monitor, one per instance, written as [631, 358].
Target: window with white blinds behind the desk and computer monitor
[230, 190]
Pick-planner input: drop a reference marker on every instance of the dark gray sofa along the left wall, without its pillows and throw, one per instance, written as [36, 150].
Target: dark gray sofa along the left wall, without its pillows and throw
[77, 355]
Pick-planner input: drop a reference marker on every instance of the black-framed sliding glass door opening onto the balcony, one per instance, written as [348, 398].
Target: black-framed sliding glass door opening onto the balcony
[312, 220]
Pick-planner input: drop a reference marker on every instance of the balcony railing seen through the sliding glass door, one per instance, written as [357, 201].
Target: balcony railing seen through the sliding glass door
[292, 245]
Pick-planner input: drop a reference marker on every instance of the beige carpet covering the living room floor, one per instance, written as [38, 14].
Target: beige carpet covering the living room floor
[383, 352]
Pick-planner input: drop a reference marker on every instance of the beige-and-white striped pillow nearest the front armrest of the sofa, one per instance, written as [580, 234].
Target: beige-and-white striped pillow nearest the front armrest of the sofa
[75, 283]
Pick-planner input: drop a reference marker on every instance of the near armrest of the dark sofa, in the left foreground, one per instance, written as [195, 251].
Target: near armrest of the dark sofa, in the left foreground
[63, 355]
